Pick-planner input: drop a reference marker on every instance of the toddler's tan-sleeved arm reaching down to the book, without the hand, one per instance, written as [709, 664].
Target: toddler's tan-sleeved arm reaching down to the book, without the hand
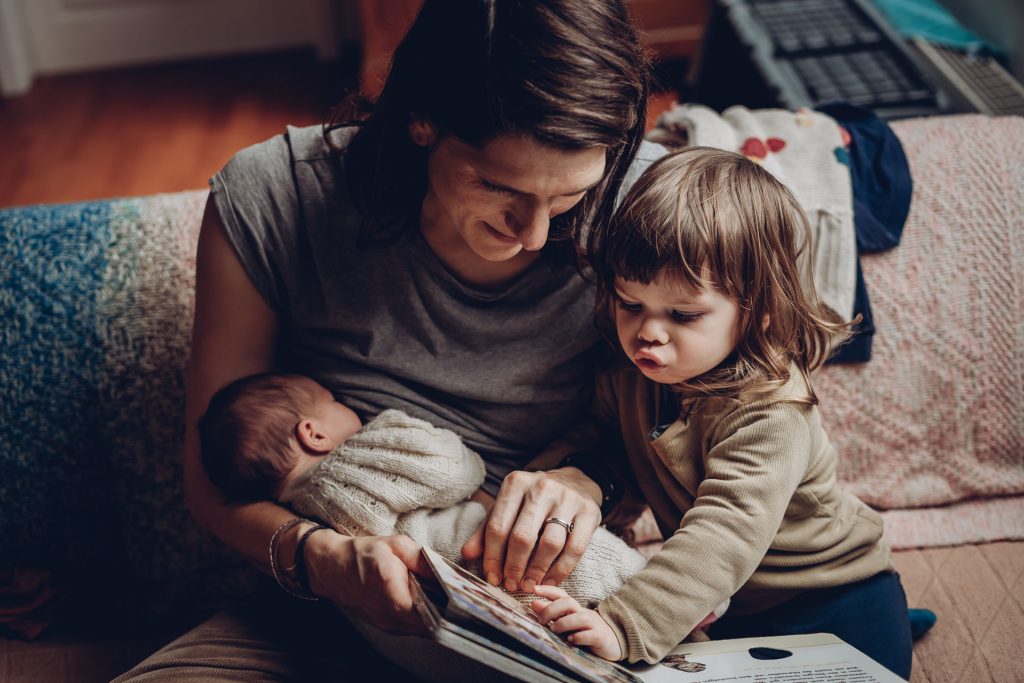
[759, 455]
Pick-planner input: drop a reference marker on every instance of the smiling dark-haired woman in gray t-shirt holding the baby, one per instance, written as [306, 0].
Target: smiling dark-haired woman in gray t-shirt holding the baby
[424, 260]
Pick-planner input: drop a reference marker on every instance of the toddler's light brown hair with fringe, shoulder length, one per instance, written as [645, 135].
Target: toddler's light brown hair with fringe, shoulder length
[706, 218]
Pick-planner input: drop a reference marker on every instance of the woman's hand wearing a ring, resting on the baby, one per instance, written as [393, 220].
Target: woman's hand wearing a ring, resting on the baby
[520, 549]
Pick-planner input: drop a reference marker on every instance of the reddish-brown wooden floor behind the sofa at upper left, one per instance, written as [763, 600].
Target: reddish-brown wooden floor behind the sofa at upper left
[154, 130]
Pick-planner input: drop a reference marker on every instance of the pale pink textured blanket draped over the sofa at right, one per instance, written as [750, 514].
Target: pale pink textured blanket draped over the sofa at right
[932, 430]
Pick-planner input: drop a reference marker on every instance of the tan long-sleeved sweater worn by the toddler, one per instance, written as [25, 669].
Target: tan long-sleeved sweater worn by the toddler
[746, 496]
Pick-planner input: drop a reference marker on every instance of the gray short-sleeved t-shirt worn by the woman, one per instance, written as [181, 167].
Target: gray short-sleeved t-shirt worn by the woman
[387, 326]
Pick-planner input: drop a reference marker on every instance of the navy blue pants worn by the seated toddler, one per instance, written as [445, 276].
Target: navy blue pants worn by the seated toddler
[870, 615]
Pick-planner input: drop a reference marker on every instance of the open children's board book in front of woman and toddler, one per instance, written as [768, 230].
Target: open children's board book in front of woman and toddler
[471, 617]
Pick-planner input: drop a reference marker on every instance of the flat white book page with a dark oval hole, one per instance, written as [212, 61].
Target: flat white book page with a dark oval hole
[812, 659]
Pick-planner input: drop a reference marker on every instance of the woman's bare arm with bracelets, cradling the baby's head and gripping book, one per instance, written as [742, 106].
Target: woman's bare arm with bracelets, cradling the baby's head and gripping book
[234, 336]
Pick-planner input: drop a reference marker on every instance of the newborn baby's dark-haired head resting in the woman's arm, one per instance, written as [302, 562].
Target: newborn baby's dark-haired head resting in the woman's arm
[261, 430]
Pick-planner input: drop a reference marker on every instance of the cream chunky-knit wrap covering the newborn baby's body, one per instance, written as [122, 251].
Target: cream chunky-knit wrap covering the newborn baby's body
[403, 476]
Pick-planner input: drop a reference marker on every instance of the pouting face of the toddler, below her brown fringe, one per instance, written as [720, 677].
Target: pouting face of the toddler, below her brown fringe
[671, 333]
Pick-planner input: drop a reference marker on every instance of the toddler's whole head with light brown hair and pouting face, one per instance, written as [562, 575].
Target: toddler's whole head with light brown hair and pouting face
[703, 273]
